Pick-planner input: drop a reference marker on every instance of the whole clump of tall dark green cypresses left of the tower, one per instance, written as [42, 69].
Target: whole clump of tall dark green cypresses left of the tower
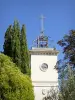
[15, 46]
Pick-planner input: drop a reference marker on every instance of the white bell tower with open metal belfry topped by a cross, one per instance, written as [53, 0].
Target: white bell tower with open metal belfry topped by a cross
[43, 60]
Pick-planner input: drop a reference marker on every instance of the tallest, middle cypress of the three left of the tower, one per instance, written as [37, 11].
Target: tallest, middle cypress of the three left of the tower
[16, 44]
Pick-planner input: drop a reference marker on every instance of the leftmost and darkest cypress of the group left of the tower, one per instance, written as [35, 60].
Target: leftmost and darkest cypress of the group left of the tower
[8, 42]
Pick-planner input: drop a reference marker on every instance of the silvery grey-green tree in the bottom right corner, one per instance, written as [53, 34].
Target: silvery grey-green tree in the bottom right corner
[67, 86]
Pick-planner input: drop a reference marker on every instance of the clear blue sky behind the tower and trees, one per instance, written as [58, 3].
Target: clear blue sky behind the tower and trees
[59, 18]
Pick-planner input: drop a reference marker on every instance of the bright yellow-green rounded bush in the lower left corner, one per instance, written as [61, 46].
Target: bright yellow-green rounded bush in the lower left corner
[13, 84]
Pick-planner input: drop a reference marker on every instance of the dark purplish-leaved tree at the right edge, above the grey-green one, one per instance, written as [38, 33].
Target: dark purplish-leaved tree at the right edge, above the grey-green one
[68, 44]
